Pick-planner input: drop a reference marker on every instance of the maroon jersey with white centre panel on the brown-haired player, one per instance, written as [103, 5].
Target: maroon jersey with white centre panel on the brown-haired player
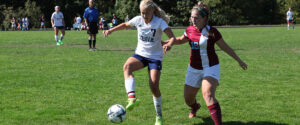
[202, 46]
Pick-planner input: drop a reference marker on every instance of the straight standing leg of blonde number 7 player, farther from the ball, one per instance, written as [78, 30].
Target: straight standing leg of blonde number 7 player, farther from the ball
[154, 77]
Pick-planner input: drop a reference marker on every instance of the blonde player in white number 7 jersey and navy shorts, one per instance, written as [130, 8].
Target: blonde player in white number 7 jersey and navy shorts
[149, 52]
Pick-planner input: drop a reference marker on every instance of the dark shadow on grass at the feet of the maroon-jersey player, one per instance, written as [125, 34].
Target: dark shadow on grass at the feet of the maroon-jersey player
[209, 121]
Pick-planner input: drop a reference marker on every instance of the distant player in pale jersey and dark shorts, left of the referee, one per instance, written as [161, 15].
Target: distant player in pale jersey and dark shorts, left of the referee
[58, 23]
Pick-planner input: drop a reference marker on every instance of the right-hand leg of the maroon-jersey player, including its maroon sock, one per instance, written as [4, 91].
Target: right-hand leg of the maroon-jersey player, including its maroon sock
[209, 86]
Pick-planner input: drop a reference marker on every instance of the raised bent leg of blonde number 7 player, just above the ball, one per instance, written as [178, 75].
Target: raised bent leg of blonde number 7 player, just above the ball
[132, 64]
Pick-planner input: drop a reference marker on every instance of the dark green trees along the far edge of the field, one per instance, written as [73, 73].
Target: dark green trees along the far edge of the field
[223, 12]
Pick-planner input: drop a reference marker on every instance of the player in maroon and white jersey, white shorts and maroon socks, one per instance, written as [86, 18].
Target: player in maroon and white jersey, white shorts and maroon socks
[204, 69]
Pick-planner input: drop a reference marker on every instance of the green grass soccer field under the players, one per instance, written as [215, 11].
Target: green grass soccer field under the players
[41, 83]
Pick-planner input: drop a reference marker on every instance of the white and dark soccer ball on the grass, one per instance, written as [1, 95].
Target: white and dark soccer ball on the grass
[116, 113]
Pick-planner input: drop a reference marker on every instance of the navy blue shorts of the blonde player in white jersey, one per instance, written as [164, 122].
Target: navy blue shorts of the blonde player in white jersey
[151, 63]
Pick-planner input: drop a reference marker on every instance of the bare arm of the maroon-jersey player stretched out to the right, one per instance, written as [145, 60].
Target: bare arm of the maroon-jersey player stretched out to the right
[226, 48]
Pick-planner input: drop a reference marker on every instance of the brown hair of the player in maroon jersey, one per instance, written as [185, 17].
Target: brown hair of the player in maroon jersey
[203, 11]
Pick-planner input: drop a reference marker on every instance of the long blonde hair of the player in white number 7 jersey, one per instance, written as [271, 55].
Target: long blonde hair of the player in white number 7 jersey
[157, 10]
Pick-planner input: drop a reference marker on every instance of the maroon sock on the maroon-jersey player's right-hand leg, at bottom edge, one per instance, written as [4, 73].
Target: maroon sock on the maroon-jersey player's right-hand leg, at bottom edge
[215, 112]
